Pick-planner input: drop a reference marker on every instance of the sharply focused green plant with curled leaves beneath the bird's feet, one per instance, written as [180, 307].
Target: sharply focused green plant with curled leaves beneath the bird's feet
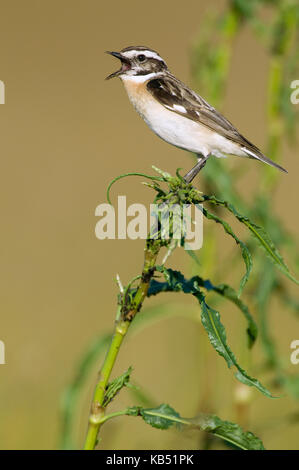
[155, 279]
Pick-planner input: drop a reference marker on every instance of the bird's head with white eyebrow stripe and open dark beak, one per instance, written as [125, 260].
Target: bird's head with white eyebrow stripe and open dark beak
[138, 61]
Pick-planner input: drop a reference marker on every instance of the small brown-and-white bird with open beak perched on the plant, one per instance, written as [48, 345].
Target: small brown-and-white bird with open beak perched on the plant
[176, 113]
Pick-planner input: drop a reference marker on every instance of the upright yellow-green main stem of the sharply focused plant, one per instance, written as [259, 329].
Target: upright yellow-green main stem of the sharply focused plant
[124, 317]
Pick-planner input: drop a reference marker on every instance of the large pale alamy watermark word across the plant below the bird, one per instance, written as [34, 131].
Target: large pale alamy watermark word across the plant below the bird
[183, 223]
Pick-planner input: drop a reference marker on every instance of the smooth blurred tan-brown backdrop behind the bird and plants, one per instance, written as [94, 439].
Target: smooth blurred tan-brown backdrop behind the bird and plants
[65, 133]
